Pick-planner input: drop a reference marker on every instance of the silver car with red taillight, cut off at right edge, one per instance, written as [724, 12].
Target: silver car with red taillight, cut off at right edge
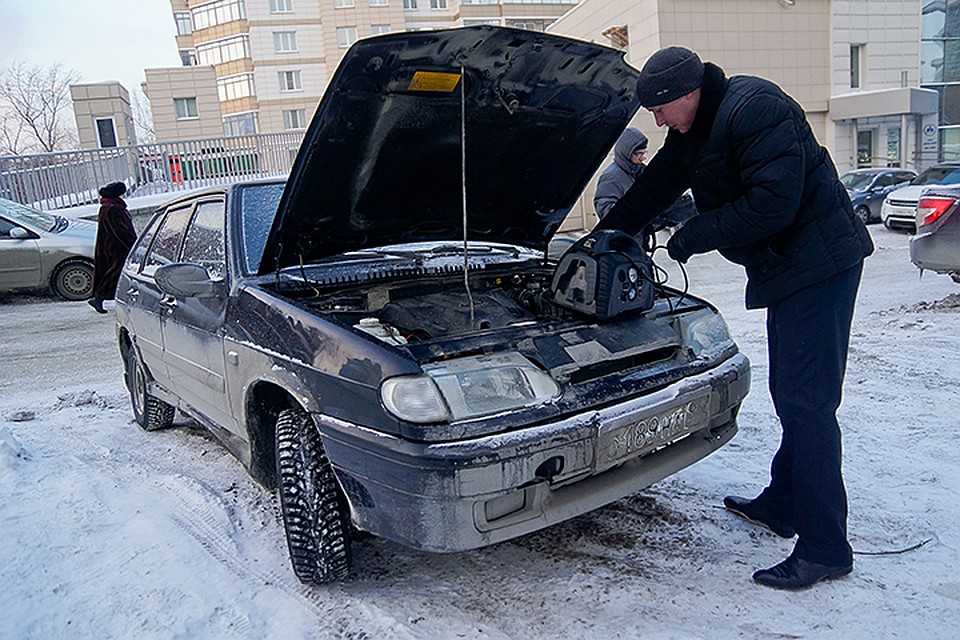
[937, 244]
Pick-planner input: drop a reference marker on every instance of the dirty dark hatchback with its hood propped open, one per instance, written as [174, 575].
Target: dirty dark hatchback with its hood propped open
[322, 328]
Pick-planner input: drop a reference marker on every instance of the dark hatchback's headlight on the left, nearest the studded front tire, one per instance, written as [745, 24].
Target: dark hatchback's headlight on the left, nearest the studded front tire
[470, 387]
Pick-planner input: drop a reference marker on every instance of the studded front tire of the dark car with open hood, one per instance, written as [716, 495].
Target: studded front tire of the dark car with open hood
[312, 506]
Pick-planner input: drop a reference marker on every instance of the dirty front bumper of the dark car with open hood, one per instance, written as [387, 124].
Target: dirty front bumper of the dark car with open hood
[472, 493]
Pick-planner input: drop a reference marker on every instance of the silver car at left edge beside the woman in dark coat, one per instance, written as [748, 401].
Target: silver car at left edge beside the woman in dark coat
[39, 250]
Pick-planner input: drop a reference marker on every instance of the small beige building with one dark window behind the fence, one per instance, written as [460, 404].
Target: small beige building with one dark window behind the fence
[103, 115]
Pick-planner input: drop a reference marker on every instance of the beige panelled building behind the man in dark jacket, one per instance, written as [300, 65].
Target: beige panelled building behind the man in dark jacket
[853, 65]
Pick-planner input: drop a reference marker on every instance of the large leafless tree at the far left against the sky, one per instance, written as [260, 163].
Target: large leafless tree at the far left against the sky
[37, 103]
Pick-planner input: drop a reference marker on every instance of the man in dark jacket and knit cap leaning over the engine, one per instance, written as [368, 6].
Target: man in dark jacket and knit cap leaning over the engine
[770, 200]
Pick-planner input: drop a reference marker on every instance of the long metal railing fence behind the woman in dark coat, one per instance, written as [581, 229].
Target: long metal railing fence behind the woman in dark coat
[70, 178]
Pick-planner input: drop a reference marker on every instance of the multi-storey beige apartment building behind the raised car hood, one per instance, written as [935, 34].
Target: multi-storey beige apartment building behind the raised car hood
[271, 59]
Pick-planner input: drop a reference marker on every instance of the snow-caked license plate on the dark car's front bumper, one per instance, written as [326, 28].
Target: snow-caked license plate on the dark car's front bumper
[654, 430]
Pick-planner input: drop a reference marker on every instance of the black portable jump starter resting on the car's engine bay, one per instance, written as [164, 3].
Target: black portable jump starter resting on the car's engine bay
[604, 275]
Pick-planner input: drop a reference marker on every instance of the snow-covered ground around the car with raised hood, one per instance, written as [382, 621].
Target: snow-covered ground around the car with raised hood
[110, 532]
